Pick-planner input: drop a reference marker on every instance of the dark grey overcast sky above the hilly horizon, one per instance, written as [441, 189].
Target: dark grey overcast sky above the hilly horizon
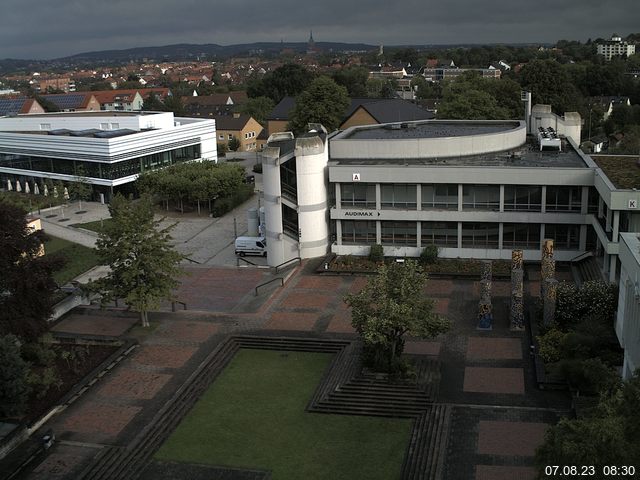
[51, 29]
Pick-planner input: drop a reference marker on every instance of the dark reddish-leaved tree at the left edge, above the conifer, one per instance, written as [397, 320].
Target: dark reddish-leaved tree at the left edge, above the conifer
[26, 280]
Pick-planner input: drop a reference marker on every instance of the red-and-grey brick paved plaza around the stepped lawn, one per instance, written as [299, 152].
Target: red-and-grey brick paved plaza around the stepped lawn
[498, 415]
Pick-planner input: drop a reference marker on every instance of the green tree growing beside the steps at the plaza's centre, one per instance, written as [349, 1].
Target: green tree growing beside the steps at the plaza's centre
[390, 306]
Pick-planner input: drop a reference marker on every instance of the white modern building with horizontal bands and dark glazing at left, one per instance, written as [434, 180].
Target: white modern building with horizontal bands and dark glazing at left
[110, 149]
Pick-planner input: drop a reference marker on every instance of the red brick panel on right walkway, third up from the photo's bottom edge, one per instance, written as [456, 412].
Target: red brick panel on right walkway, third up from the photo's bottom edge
[494, 380]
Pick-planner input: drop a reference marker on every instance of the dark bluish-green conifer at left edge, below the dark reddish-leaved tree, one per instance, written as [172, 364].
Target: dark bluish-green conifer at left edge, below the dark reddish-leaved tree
[13, 377]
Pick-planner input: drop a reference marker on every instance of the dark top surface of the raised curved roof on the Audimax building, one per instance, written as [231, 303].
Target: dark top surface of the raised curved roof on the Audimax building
[429, 129]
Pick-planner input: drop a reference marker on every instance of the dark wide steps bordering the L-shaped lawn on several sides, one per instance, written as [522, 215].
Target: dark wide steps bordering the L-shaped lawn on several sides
[344, 389]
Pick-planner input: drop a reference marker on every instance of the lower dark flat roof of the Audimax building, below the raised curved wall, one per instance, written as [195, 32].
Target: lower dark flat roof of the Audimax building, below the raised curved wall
[527, 155]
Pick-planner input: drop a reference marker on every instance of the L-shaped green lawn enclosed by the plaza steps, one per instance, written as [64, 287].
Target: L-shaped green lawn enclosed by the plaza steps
[253, 417]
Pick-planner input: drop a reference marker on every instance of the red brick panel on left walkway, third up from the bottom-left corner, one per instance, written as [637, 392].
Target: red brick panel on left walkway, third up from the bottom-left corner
[134, 384]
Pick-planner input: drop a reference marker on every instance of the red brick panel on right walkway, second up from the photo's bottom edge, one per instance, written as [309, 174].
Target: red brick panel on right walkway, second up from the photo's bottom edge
[510, 438]
